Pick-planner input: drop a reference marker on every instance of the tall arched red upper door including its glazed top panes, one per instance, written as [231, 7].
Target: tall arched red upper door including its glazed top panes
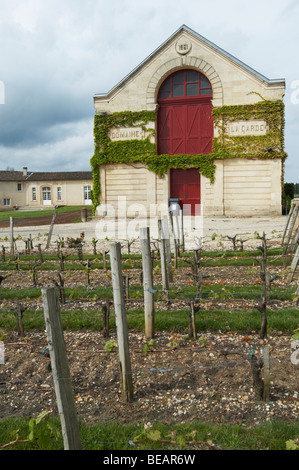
[185, 124]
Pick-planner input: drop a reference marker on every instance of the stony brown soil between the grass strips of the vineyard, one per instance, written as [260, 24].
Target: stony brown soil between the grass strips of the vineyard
[183, 379]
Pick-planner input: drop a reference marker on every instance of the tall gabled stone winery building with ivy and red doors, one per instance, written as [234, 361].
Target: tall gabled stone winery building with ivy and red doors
[194, 124]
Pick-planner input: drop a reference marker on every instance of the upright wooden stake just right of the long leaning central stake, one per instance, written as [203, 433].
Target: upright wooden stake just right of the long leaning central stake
[149, 307]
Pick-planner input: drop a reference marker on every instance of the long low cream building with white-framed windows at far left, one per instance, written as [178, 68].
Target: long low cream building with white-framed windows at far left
[25, 189]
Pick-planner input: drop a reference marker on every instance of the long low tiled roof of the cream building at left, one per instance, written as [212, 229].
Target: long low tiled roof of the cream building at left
[45, 176]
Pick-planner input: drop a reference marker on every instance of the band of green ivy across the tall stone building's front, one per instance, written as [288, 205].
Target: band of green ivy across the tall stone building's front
[144, 151]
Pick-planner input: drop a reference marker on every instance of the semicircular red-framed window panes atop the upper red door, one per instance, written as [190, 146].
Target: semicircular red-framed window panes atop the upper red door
[185, 84]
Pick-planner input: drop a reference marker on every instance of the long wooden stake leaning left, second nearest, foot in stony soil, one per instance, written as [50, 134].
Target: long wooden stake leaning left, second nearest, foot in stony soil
[121, 322]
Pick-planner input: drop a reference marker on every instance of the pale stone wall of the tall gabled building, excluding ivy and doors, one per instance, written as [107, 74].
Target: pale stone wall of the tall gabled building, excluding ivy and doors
[242, 187]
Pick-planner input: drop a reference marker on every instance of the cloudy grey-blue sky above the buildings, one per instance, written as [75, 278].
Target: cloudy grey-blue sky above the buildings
[57, 54]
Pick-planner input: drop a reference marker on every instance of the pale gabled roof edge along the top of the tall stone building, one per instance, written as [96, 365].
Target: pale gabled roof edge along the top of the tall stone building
[208, 43]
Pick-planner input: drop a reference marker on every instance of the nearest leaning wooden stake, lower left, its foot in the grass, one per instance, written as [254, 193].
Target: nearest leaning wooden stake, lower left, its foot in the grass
[60, 369]
